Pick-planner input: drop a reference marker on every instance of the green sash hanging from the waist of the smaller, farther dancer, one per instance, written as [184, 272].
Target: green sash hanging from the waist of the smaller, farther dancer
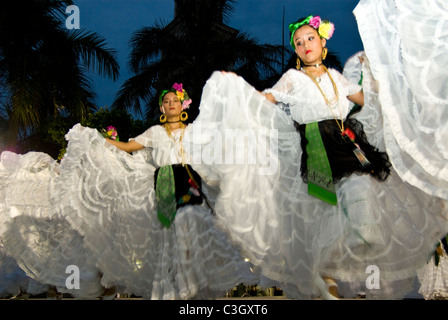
[166, 196]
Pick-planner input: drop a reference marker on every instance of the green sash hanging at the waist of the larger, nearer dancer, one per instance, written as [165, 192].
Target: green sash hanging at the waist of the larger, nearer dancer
[320, 178]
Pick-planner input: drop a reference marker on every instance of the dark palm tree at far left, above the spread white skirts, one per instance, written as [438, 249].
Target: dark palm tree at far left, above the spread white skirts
[43, 65]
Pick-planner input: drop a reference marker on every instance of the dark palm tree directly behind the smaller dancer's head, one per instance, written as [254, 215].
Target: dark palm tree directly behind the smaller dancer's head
[188, 50]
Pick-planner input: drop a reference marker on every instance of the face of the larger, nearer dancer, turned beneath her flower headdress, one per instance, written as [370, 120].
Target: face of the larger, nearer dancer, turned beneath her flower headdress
[308, 45]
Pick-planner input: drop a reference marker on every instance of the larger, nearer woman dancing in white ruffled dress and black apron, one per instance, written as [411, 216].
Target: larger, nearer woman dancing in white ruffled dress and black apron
[364, 218]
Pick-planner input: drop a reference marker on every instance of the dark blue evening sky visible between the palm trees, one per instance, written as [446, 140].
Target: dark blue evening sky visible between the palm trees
[117, 20]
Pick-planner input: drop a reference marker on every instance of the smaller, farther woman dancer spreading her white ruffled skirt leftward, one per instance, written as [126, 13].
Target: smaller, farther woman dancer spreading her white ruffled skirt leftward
[149, 236]
